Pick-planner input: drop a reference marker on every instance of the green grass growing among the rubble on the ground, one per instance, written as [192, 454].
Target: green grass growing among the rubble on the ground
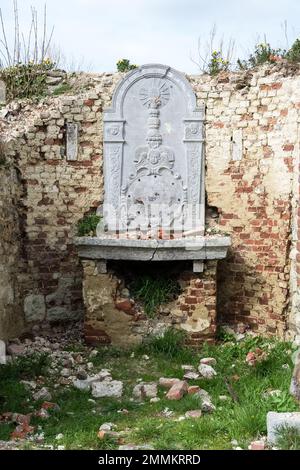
[145, 423]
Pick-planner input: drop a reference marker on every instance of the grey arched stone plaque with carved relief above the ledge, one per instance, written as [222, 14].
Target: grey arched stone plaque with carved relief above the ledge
[153, 154]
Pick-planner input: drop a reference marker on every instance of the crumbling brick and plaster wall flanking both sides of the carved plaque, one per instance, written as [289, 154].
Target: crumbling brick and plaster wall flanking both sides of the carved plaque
[251, 177]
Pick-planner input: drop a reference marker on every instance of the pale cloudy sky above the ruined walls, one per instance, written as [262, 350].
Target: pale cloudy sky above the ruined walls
[94, 34]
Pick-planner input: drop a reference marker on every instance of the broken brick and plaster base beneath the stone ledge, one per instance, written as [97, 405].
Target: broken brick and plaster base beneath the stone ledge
[112, 319]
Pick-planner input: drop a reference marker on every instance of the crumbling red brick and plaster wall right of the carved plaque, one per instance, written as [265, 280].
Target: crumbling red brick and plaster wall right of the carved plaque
[251, 154]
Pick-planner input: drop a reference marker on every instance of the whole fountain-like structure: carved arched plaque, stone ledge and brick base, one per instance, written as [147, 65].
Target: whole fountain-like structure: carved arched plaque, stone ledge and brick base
[154, 206]
